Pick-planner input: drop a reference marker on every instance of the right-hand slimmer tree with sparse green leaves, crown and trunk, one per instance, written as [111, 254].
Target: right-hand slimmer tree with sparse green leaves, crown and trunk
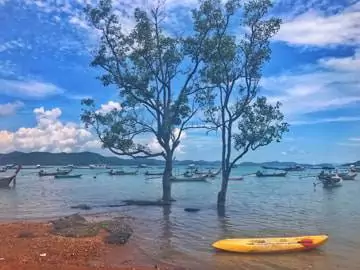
[232, 72]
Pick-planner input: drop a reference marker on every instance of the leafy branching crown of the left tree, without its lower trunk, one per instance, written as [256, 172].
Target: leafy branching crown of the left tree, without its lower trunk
[143, 63]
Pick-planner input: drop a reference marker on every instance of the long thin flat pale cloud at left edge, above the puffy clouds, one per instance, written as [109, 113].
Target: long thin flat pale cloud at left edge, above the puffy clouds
[28, 88]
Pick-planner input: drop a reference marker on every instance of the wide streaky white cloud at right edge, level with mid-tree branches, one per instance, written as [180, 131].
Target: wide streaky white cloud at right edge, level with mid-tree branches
[330, 83]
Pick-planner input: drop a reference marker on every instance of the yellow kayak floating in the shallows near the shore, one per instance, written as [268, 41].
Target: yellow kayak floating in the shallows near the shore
[268, 245]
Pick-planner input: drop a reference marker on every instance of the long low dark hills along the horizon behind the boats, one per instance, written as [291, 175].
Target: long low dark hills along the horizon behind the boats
[86, 158]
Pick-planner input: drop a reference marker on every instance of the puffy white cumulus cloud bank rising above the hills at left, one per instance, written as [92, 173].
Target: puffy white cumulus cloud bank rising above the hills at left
[49, 134]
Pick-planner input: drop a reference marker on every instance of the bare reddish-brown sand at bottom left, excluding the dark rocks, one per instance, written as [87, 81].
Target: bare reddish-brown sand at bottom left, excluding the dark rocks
[30, 246]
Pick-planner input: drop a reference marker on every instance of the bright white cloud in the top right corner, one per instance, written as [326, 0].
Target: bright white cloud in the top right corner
[315, 28]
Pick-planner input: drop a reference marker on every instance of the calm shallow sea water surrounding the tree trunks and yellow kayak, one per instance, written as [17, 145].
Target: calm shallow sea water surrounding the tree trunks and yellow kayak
[256, 207]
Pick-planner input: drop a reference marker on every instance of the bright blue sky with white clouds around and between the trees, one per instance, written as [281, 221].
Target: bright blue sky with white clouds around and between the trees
[45, 51]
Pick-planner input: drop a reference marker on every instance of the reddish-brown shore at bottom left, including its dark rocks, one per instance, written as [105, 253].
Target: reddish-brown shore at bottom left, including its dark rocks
[72, 243]
